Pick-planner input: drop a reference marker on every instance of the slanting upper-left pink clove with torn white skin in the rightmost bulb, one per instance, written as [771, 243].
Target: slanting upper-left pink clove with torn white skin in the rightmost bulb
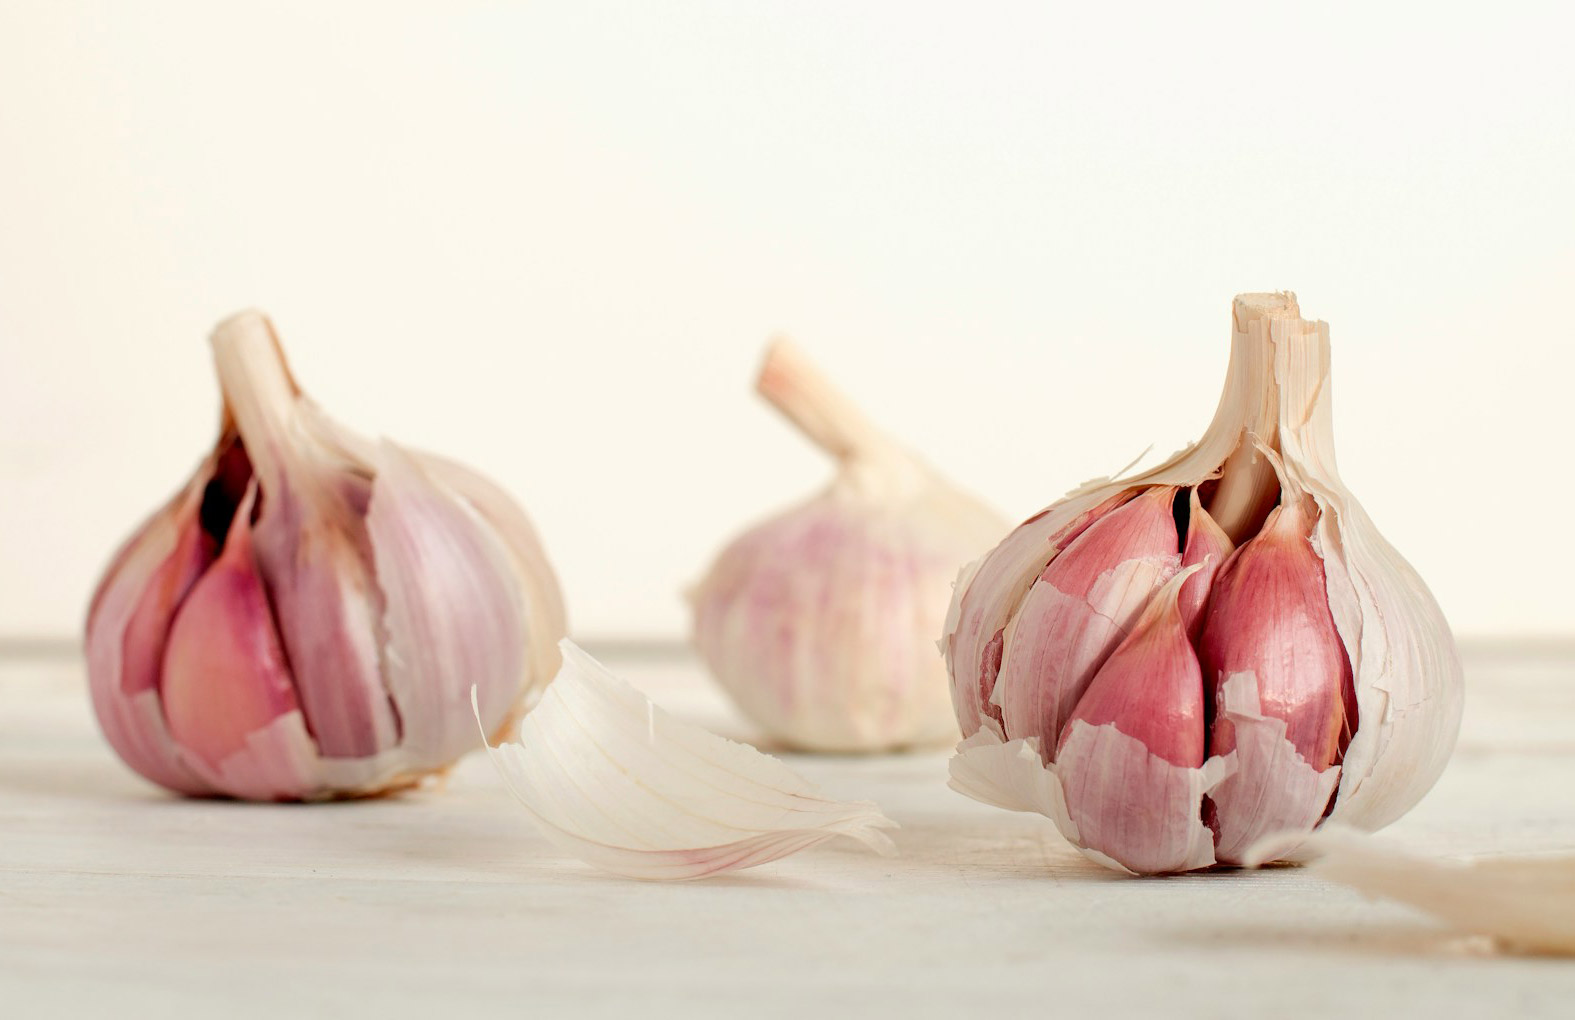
[1080, 610]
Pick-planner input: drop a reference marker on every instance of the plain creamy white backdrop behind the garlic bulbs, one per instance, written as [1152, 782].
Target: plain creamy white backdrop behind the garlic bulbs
[552, 238]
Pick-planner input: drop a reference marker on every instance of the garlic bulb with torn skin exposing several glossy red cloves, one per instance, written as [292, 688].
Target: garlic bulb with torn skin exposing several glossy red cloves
[1180, 665]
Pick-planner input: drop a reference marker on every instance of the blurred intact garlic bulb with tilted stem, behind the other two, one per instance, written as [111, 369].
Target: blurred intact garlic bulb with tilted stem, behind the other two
[821, 621]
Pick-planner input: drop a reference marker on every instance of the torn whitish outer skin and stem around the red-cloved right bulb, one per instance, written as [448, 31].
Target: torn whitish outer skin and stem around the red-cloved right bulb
[1404, 665]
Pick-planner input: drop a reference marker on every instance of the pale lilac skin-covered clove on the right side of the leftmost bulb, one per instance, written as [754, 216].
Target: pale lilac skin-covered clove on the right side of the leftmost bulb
[431, 550]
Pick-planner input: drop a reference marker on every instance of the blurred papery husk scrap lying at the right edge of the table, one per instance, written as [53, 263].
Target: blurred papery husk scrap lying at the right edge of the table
[1525, 903]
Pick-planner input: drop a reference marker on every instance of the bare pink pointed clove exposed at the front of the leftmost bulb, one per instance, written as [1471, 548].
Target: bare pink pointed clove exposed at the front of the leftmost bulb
[224, 670]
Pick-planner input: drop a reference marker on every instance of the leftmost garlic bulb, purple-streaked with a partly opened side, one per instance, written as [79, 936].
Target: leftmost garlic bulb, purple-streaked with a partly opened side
[305, 619]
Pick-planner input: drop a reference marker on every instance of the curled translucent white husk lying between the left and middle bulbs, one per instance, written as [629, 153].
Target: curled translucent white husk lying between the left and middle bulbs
[618, 783]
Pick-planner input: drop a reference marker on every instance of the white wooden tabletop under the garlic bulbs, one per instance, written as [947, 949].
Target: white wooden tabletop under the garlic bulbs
[120, 901]
